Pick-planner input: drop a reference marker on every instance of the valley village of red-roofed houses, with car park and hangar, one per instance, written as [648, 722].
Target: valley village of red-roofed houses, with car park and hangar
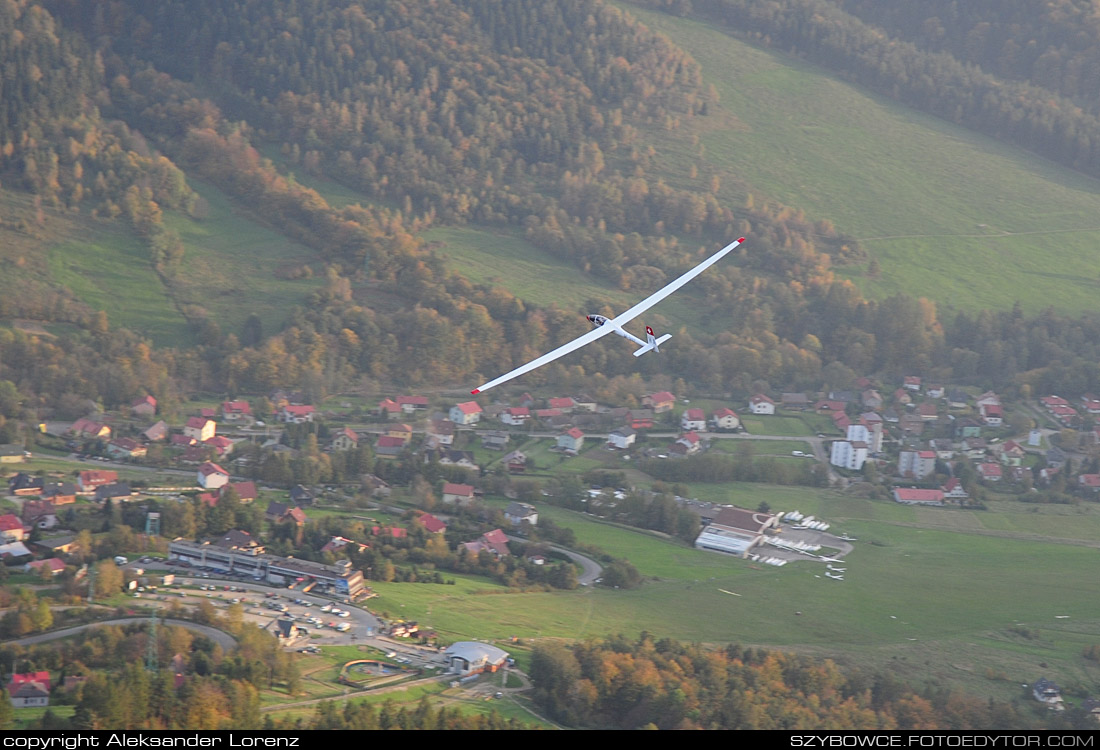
[416, 472]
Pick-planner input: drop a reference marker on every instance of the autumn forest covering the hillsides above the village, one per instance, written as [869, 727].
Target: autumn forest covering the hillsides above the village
[515, 118]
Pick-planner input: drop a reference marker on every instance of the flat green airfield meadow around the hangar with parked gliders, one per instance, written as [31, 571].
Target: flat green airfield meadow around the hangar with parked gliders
[975, 600]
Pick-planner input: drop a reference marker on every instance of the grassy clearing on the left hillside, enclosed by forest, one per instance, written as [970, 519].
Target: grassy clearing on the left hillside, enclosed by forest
[234, 267]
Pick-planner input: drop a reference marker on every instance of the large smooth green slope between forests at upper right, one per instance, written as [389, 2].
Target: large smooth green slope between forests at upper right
[952, 216]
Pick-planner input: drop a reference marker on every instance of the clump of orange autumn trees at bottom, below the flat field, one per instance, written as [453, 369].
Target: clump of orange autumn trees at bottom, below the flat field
[662, 685]
